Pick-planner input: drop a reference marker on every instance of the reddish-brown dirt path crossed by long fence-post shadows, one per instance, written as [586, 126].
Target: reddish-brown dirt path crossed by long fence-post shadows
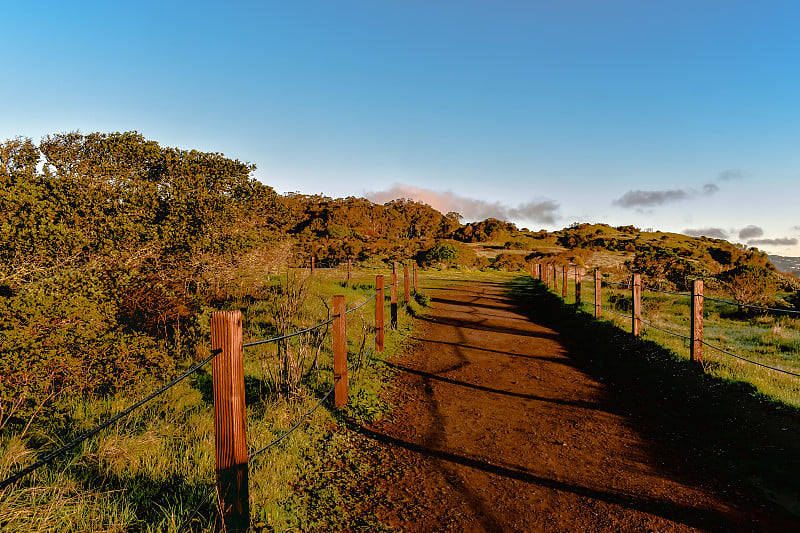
[499, 428]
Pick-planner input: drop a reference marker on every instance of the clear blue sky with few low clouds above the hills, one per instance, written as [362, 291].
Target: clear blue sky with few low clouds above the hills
[681, 116]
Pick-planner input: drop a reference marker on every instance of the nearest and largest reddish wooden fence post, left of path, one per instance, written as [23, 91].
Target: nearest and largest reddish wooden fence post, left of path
[229, 420]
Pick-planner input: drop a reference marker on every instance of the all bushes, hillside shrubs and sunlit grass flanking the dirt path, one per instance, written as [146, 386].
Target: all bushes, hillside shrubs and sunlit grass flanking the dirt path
[114, 252]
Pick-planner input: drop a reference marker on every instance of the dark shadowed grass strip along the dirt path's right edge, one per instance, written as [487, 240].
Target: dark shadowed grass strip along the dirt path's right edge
[727, 428]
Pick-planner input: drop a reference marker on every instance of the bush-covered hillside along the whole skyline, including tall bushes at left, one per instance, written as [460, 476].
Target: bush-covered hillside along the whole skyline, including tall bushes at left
[125, 242]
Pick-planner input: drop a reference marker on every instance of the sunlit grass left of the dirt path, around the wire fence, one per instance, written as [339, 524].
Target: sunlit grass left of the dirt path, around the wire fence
[150, 470]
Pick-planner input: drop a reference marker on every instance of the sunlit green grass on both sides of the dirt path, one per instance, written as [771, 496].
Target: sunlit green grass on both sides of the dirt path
[149, 471]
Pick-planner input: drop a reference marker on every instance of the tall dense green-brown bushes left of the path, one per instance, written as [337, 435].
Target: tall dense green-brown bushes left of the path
[105, 238]
